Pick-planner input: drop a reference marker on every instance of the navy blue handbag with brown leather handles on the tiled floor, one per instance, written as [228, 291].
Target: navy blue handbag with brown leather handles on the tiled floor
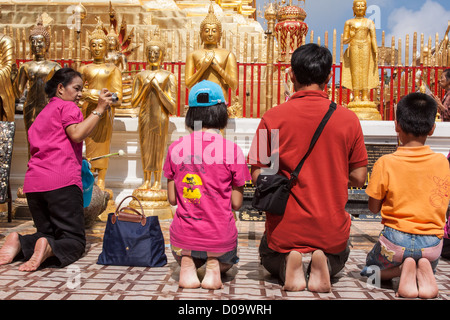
[132, 239]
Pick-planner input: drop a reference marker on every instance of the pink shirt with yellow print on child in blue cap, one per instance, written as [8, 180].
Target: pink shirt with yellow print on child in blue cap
[205, 167]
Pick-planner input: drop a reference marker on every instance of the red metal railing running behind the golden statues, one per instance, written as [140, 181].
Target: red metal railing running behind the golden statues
[251, 91]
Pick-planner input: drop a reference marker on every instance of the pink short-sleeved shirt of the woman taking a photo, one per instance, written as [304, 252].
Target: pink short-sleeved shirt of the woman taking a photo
[55, 159]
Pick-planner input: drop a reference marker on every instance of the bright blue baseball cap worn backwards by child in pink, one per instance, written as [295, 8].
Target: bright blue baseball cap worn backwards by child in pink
[206, 93]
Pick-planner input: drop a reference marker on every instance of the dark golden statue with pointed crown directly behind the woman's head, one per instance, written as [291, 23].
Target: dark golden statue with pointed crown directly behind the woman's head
[34, 74]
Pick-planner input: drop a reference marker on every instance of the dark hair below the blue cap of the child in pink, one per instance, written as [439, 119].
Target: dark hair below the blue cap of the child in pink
[212, 117]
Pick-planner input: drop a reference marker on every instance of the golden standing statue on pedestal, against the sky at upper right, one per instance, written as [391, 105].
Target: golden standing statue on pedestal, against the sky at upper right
[360, 69]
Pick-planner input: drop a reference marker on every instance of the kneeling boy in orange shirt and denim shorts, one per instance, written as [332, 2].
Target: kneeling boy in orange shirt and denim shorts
[411, 188]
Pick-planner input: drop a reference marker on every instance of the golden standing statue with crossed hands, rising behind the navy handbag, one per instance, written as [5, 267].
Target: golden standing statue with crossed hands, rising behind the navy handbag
[155, 92]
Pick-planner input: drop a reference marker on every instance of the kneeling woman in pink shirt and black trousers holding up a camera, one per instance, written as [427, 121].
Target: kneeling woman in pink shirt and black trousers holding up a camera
[53, 180]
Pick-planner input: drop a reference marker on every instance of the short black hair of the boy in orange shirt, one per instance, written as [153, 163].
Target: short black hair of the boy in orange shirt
[416, 113]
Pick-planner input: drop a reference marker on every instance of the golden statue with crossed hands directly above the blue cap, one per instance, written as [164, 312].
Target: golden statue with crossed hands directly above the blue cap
[211, 62]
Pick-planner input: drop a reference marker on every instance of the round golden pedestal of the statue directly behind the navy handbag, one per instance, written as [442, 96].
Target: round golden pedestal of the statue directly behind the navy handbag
[154, 202]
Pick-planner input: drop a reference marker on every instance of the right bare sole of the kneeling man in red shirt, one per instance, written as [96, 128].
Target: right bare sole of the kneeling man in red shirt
[319, 277]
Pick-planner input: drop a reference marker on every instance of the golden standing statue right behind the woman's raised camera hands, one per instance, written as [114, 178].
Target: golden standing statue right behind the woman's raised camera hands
[96, 76]
